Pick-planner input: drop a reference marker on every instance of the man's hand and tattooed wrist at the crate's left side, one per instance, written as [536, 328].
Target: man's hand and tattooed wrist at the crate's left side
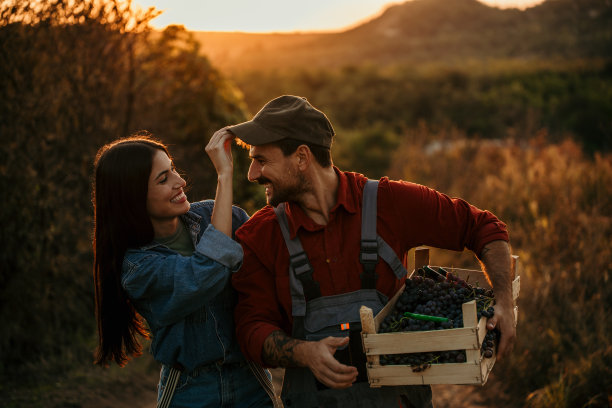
[284, 351]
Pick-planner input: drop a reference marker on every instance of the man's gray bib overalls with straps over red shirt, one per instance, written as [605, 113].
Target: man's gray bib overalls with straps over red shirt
[323, 316]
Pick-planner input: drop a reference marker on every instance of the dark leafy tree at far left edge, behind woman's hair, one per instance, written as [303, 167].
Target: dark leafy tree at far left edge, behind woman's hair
[62, 93]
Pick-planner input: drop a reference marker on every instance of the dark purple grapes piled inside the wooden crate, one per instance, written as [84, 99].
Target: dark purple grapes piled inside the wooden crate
[432, 300]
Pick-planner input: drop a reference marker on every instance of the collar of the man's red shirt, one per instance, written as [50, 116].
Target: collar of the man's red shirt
[345, 199]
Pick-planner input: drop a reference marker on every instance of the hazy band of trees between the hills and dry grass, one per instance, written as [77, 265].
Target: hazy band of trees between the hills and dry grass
[491, 101]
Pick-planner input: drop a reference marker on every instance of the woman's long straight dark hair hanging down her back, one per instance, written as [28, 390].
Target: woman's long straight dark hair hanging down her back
[121, 221]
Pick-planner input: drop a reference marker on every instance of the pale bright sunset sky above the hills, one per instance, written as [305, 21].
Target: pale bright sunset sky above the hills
[277, 15]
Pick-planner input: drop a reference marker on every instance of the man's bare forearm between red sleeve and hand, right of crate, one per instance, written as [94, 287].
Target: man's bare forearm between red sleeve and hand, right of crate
[496, 260]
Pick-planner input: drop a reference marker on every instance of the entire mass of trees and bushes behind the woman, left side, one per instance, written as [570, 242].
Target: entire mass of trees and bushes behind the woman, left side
[73, 76]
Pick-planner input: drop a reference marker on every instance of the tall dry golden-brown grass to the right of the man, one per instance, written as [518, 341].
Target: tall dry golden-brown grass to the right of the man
[557, 204]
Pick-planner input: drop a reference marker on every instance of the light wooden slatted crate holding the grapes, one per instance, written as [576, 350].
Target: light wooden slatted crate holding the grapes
[475, 370]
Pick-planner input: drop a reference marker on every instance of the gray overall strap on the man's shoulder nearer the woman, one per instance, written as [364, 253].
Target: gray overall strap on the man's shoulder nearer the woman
[301, 282]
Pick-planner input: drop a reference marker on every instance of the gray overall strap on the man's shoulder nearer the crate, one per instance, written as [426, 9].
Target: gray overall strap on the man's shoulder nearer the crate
[368, 256]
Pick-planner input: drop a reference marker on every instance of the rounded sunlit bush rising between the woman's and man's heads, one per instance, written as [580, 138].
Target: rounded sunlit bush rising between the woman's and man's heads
[182, 98]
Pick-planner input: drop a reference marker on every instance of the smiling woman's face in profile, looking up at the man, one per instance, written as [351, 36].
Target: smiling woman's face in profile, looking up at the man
[165, 198]
